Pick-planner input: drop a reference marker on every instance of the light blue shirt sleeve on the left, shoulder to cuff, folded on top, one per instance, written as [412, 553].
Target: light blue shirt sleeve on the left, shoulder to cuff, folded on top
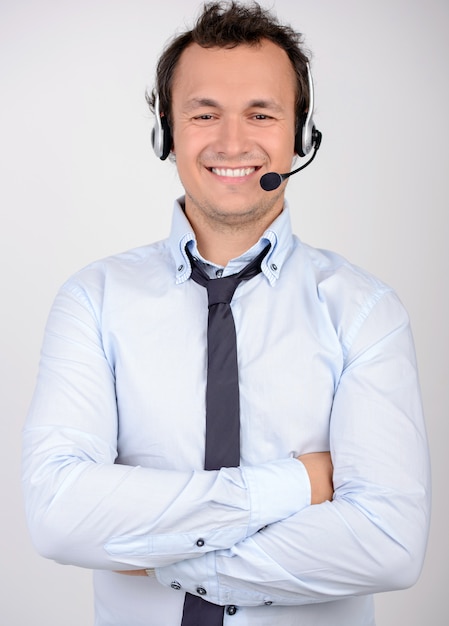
[85, 509]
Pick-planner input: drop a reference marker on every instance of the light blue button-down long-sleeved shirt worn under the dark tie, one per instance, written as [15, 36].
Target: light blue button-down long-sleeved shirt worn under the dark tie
[114, 439]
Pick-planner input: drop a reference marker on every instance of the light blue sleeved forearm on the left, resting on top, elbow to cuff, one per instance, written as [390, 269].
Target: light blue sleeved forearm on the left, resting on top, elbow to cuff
[100, 515]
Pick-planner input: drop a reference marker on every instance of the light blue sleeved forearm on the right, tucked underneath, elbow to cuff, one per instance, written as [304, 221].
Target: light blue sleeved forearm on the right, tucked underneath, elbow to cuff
[364, 541]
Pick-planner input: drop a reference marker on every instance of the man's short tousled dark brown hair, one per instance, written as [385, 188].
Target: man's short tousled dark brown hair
[226, 25]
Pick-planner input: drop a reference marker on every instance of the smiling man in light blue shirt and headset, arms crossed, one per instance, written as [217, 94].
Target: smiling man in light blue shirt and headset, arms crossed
[114, 443]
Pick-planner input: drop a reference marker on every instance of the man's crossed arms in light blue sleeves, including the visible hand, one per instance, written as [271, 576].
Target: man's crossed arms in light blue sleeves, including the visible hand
[86, 509]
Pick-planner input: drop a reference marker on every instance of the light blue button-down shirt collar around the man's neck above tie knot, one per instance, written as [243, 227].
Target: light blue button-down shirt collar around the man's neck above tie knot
[278, 234]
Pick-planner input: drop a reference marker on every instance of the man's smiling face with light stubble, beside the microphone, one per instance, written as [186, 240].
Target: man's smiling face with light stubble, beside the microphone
[233, 115]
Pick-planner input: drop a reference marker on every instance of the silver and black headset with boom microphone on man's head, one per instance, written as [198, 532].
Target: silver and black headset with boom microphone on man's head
[306, 138]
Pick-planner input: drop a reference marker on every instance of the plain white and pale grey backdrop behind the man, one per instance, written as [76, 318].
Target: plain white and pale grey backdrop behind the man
[79, 182]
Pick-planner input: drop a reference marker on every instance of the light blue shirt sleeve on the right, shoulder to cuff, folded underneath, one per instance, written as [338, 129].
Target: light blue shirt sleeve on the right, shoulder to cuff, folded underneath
[372, 536]
